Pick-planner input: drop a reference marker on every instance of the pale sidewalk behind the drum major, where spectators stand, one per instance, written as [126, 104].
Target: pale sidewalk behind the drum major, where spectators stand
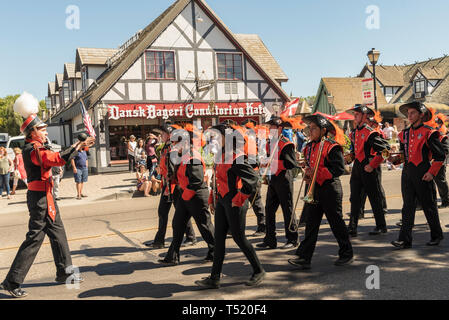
[98, 188]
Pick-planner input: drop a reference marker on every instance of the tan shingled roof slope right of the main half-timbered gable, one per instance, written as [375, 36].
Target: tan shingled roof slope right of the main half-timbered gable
[256, 47]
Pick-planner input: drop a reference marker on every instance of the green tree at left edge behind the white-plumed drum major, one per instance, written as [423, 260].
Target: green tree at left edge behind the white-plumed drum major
[10, 121]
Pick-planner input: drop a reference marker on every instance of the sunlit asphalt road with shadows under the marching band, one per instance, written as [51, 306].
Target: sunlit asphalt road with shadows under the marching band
[106, 240]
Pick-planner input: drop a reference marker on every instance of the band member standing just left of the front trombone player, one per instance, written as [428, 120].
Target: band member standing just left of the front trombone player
[280, 188]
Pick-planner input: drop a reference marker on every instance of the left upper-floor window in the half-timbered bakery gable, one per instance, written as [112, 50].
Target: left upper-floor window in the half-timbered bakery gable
[160, 65]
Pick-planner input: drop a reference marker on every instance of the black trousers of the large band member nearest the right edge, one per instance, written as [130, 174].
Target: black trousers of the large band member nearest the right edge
[413, 187]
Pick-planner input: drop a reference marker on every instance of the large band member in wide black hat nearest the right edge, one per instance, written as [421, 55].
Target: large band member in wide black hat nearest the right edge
[420, 144]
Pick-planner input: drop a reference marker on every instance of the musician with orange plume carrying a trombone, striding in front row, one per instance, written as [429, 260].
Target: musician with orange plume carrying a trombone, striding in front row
[328, 192]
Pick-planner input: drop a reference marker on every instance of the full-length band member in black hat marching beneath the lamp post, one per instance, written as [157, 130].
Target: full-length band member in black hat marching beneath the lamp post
[367, 146]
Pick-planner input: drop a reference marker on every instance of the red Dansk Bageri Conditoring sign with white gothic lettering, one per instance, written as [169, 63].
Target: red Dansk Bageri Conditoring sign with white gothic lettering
[166, 111]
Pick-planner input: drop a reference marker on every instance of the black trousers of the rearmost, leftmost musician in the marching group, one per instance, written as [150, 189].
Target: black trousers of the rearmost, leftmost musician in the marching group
[163, 212]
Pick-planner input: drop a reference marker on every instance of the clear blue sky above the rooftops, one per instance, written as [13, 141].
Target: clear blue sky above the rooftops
[310, 39]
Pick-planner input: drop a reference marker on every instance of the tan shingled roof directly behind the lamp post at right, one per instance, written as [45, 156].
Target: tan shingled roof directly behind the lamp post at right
[347, 92]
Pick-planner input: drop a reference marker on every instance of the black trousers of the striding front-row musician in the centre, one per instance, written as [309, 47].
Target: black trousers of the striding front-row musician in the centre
[234, 219]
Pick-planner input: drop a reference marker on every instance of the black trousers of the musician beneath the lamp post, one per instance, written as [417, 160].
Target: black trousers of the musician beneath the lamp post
[371, 183]
